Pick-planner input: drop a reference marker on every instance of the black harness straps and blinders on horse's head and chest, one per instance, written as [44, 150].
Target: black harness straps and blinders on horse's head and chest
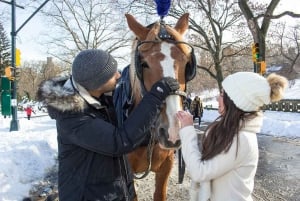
[190, 73]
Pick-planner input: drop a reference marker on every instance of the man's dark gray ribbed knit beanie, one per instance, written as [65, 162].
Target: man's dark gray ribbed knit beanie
[92, 68]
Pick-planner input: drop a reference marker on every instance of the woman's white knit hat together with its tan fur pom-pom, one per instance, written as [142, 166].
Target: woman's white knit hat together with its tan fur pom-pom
[249, 91]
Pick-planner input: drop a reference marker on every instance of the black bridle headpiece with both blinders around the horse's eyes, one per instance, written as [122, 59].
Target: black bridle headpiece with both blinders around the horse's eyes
[191, 66]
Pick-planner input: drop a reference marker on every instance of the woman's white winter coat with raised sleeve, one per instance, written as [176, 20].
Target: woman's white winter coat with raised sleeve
[227, 176]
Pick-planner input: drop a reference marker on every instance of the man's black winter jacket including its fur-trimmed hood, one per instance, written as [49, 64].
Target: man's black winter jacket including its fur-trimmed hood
[91, 149]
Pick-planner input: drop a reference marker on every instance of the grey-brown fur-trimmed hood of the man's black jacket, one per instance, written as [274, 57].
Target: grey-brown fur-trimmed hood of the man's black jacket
[58, 93]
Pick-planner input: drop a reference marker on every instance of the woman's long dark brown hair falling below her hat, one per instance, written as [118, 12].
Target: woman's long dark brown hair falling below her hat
[223, 130]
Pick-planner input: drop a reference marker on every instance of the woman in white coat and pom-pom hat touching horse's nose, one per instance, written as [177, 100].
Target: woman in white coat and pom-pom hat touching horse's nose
[226, 166]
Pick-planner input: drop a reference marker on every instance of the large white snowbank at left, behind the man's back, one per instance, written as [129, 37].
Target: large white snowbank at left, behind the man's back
[25, 155]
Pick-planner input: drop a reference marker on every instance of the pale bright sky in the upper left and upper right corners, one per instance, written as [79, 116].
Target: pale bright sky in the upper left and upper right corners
[30, 40]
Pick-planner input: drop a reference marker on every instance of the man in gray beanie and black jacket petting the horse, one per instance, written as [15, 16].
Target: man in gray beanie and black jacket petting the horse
[91, 148]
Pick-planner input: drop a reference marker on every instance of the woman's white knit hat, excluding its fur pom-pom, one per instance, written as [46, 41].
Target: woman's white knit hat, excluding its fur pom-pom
[249, 91]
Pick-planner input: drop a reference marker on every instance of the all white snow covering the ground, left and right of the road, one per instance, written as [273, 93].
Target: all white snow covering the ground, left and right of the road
[25, 155]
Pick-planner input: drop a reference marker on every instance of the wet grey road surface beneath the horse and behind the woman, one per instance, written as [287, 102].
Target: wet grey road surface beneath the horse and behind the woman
[277, 177]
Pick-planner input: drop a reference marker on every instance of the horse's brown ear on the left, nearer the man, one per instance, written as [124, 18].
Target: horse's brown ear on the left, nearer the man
[138, 29]
